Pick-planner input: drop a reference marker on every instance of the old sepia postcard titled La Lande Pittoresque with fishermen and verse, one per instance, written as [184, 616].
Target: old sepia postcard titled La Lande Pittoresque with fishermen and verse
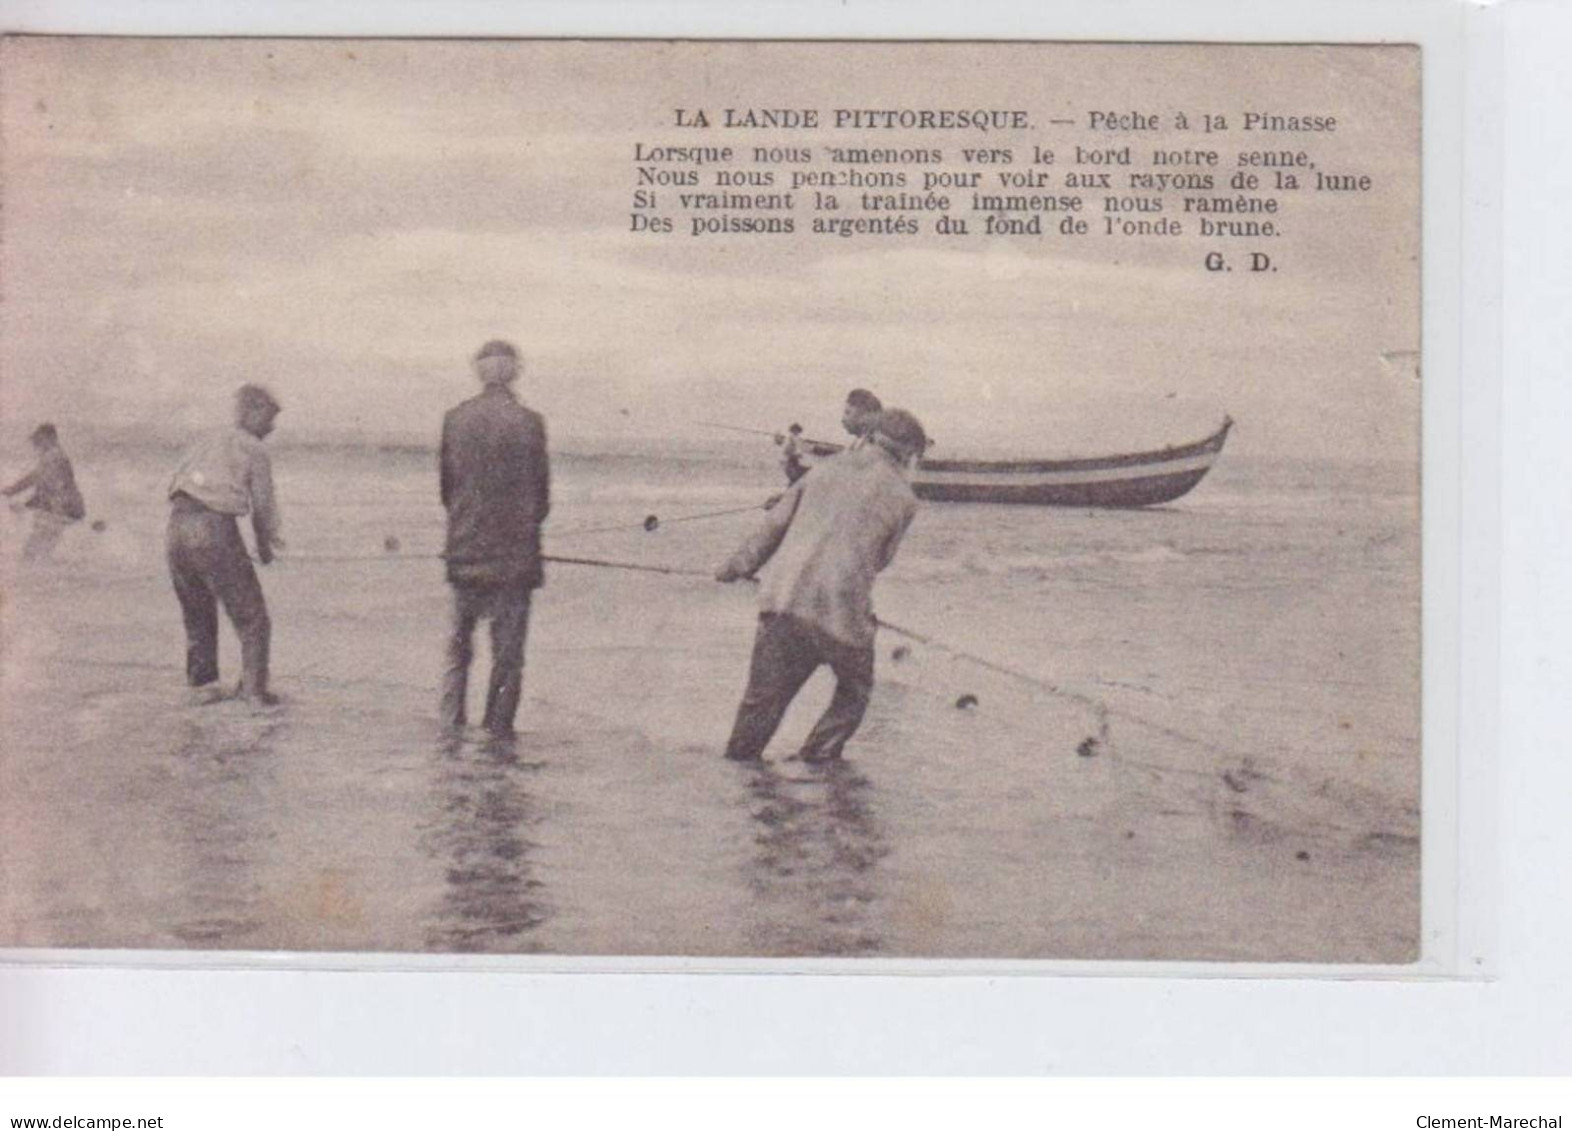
[707, 499]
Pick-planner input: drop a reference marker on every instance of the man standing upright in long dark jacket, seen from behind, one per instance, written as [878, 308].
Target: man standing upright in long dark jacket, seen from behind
[496, 487]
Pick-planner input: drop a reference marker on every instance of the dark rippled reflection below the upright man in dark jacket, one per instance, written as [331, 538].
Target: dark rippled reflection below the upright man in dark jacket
[491, 901]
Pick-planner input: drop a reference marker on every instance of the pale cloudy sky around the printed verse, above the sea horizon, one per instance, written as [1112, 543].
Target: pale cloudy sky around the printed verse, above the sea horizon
[350, 221]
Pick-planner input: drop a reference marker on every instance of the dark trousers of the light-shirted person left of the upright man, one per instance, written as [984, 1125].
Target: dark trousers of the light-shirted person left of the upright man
[210, 567]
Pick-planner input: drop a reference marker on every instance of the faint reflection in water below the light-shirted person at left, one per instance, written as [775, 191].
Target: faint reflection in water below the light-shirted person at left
[222, 773]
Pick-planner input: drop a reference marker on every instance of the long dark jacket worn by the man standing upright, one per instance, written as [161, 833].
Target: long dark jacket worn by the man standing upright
[496, 487]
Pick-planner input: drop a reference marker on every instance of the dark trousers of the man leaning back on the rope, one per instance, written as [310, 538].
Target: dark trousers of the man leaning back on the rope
[787, 650]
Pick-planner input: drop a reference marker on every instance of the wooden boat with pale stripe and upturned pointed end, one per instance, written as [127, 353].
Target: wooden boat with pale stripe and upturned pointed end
[1137, 481]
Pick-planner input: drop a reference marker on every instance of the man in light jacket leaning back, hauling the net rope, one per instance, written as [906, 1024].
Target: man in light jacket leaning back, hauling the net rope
[829, 537]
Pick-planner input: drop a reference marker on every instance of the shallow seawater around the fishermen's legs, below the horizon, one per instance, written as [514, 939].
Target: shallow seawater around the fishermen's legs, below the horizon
[1254, 795]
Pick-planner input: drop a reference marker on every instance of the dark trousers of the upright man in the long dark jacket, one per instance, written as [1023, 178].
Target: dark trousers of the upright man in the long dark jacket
[507, 605]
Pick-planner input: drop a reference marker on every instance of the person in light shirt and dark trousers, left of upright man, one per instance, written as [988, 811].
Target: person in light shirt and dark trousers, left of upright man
[226, 476]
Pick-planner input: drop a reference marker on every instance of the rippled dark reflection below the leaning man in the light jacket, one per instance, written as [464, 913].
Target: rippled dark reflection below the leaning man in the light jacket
[815, 869]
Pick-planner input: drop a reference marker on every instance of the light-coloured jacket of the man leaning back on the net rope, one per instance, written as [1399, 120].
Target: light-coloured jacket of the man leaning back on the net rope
[826, 542]
